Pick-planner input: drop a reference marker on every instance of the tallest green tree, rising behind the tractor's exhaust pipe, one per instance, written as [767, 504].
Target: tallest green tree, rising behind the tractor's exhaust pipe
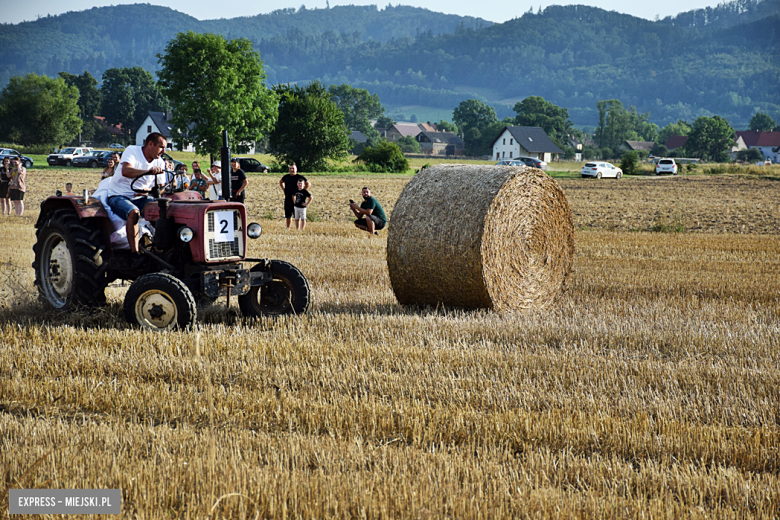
[216, 85]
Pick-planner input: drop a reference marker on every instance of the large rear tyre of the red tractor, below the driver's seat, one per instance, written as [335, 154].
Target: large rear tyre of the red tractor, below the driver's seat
[69, 266]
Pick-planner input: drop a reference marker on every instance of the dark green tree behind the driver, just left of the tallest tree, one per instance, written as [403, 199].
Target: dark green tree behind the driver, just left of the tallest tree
[129, 93]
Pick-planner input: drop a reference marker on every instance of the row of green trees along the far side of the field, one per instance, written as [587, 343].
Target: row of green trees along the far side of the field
[214, 84]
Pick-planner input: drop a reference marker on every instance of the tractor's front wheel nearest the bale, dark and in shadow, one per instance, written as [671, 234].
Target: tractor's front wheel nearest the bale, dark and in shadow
[288, 293]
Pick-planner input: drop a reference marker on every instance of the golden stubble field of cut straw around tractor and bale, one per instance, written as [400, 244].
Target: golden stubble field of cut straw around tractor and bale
[650, 390]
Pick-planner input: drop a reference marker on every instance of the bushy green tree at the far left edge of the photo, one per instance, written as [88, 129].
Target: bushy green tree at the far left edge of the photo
[39, 110]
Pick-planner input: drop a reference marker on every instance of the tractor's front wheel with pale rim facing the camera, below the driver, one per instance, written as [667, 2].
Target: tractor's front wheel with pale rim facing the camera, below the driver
[160, 302]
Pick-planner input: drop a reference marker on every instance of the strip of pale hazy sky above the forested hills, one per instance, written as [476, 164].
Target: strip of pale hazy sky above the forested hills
[15, 11]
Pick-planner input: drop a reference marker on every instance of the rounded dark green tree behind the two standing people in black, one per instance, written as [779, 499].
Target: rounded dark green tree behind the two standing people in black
[310, 128]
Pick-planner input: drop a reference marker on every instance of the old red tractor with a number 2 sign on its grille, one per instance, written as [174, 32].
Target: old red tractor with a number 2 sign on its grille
[197, 254]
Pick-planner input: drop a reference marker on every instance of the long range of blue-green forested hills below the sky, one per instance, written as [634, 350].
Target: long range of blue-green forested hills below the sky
[572, 56]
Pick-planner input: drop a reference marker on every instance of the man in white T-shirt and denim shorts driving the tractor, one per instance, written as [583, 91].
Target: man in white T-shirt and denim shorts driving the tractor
[127, 198]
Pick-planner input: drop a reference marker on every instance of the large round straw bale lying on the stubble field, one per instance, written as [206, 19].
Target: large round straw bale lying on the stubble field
[497, 237]
